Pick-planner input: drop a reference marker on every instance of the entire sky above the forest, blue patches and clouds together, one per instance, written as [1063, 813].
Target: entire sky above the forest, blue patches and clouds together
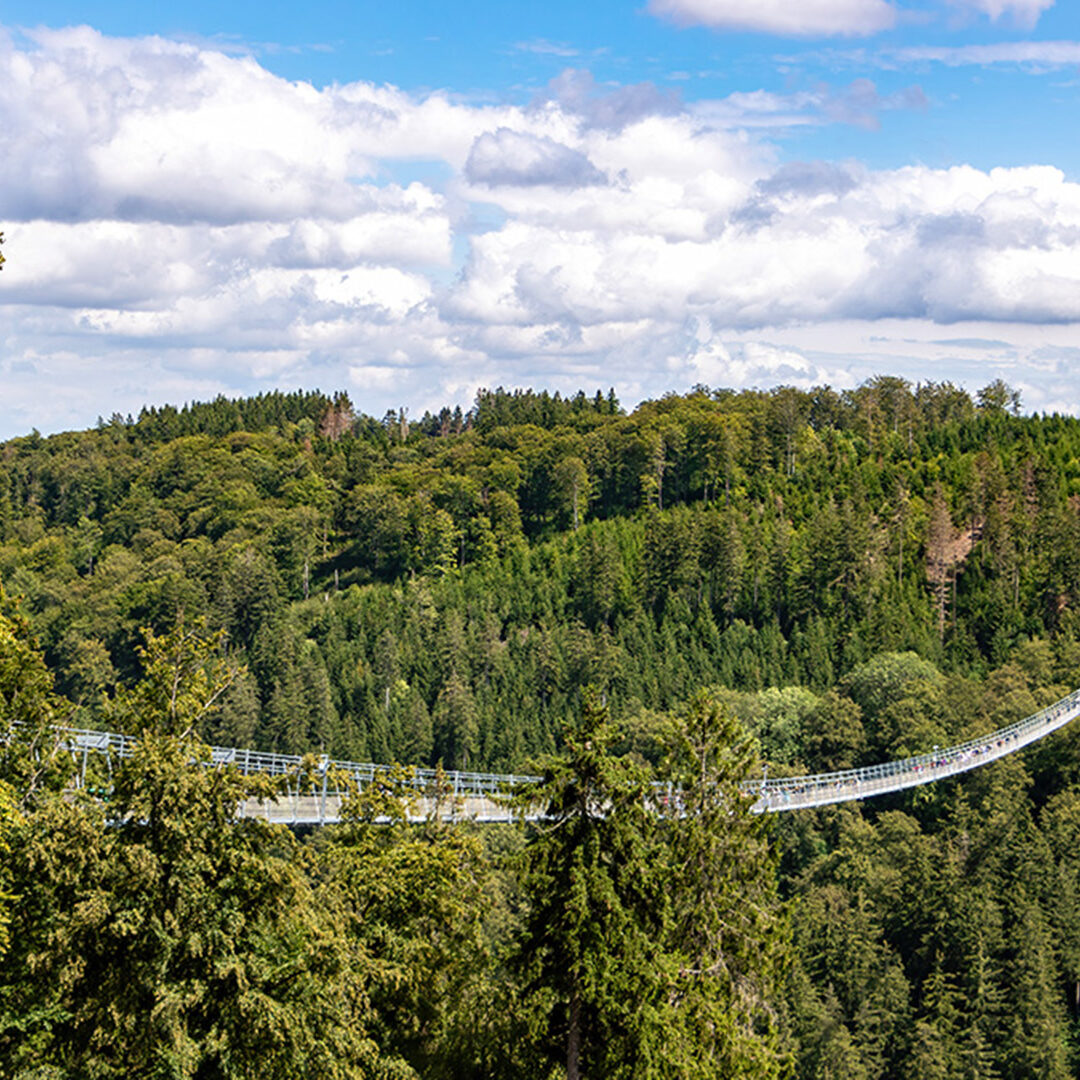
[410, 201]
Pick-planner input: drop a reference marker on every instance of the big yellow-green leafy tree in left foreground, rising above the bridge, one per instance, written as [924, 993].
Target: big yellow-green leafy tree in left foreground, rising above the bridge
[179, 942]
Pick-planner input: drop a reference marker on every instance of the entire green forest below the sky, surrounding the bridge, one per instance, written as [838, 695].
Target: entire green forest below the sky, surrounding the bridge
[713, 585]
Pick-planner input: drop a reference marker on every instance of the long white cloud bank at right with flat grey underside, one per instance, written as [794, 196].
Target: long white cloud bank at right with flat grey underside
[821, 244]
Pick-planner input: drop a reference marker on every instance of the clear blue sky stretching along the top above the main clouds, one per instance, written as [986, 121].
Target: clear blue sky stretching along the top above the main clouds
[985, 115]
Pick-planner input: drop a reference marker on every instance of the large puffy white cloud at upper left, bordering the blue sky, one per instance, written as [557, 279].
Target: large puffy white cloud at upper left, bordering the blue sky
[154, 130]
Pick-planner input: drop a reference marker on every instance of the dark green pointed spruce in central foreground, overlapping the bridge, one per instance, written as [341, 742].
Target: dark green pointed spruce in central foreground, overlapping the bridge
[592, 943]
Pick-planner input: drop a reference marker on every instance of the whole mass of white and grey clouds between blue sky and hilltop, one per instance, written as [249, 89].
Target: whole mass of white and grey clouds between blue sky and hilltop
[200, 226]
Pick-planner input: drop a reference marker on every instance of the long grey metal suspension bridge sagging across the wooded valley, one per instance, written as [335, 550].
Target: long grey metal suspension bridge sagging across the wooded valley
[315, 790]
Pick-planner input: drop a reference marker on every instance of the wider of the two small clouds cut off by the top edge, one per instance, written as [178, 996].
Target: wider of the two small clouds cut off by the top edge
[807, 19]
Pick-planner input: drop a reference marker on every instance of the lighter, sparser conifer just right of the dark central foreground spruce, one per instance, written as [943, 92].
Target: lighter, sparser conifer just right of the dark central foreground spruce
[727, 931]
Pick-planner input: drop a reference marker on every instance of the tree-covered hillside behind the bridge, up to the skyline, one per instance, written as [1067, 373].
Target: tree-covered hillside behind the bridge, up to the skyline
[443, 589]
